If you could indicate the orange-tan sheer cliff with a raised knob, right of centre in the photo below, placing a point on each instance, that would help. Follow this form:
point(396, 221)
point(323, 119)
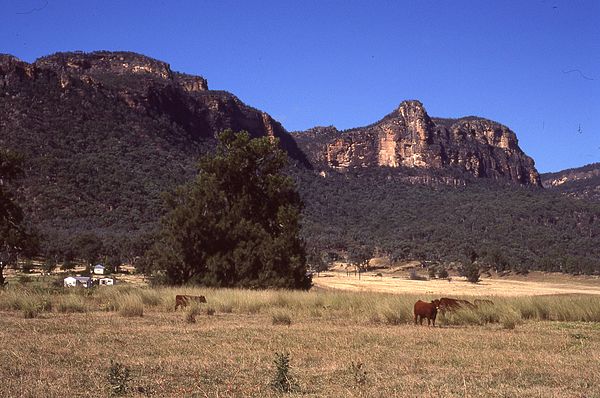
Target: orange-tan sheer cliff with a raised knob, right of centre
point(409, 138)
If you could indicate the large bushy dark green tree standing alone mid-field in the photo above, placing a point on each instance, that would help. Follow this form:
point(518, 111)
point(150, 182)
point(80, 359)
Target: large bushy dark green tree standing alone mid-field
point(237, 224)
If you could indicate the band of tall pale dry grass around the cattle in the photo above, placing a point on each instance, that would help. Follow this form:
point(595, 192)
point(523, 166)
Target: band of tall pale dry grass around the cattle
point(363, 307)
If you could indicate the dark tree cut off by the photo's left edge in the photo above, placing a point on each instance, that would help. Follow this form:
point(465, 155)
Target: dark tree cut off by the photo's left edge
point(15, 237)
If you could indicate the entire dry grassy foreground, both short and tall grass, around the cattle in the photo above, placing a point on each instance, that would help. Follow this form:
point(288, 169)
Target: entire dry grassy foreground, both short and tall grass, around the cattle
point(57, 344)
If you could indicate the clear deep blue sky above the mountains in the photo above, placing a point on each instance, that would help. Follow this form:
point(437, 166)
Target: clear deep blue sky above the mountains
point(531, 65)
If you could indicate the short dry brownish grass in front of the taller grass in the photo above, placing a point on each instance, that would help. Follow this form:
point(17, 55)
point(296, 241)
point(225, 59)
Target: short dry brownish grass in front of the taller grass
point(231, 355)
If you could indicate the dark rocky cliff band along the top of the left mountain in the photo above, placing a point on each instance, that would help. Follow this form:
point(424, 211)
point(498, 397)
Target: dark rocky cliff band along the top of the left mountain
point(147, 86)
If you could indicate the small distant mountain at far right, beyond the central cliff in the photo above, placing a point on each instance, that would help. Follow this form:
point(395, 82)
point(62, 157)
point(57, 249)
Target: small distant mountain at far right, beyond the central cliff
point(580, 182)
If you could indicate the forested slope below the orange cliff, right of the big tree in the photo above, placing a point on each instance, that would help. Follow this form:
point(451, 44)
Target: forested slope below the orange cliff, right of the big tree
point(507, 226)
